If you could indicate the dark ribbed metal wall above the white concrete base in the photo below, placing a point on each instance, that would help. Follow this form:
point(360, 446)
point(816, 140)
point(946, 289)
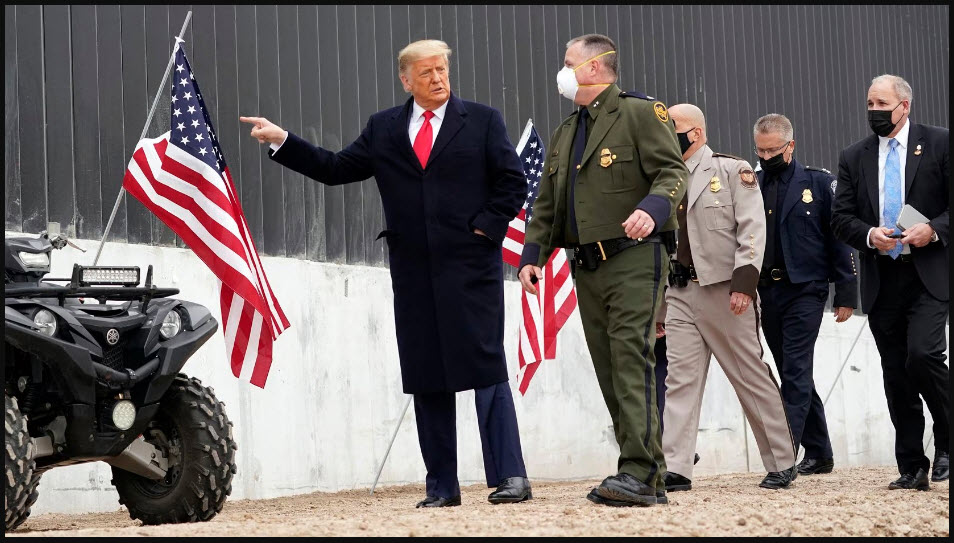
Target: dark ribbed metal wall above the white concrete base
point(79, 81)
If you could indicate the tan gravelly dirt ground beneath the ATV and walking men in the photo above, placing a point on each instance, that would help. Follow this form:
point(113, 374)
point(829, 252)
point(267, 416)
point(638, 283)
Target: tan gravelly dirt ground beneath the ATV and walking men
point(850, 501)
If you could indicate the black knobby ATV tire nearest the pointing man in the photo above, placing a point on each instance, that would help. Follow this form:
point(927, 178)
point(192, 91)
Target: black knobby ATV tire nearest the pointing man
point(192, 430)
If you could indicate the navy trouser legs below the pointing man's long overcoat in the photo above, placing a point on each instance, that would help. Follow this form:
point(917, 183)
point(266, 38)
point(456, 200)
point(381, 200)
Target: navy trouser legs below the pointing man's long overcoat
point(437, 432)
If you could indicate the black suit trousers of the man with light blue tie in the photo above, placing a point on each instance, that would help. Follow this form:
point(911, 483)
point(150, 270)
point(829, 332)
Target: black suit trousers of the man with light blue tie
point(908, 327)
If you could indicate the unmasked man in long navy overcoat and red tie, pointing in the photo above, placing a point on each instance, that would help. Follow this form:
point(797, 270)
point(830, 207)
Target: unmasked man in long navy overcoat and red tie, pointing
point(450, 182)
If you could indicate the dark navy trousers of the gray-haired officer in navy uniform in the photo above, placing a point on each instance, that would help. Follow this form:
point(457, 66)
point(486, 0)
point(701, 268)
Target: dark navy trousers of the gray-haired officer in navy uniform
point(791, 317)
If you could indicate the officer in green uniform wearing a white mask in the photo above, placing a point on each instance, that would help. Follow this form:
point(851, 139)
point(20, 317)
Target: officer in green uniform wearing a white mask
point(611, 181)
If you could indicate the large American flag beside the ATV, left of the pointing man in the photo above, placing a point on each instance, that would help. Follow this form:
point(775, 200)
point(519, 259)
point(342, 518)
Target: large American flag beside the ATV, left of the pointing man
point(181, 176)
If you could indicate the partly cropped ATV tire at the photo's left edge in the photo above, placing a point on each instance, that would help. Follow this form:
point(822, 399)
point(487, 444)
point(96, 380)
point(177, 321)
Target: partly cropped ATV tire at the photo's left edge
point(21, 479)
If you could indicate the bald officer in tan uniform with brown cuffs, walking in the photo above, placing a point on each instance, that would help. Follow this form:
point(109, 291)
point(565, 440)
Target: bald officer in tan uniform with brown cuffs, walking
point(712, 310)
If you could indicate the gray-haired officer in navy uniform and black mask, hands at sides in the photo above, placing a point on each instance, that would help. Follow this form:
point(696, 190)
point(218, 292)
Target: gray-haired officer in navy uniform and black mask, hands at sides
point(802, 257)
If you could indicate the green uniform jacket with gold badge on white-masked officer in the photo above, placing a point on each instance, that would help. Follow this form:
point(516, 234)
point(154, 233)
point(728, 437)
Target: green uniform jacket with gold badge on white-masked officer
point(631, 161)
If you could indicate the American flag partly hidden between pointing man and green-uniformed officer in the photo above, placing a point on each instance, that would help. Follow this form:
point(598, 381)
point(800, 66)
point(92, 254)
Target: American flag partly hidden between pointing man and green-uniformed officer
point(545, 314)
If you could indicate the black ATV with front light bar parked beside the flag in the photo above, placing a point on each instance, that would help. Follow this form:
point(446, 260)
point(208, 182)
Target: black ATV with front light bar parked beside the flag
point(91, 373)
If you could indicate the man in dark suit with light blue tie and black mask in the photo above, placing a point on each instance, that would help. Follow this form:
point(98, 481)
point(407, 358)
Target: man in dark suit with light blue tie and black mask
point(904, 280)
